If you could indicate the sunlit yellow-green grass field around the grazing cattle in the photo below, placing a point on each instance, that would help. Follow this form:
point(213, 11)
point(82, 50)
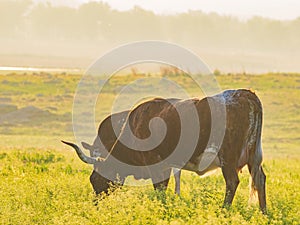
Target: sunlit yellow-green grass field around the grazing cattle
point(43, 182)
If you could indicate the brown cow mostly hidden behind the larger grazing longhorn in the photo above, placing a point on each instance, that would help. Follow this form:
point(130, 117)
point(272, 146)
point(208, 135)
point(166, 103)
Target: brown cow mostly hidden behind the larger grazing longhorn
point(108, 131)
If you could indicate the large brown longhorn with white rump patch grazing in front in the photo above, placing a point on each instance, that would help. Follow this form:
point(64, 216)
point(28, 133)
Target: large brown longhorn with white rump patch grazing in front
point(240, 144)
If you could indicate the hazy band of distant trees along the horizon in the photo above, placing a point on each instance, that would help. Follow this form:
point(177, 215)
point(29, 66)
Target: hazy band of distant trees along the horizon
point(98, 22)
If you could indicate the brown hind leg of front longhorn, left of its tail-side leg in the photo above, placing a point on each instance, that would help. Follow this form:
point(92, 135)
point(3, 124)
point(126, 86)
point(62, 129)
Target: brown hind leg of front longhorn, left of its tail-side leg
point(232, 182)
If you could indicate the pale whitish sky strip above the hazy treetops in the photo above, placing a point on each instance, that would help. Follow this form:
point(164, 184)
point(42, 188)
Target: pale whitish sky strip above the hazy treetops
point(278, 9)
